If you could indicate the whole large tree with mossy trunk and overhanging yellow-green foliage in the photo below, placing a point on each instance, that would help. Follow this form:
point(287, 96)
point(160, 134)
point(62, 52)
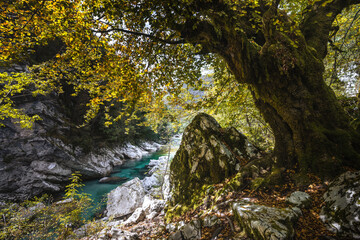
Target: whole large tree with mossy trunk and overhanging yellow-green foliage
point(143, 50)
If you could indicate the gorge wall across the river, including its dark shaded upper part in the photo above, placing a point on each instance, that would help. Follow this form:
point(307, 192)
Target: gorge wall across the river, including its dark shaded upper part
point(41, 159)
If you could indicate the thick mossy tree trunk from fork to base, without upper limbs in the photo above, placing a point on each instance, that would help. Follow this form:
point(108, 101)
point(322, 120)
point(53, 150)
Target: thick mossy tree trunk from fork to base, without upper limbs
point(312, 131)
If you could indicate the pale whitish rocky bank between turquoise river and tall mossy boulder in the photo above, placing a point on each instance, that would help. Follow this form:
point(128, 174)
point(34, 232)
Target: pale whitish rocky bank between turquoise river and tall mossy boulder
point(136, 207)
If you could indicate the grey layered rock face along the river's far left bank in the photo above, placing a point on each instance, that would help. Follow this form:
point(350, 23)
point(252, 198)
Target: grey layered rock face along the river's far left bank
point(38, 160)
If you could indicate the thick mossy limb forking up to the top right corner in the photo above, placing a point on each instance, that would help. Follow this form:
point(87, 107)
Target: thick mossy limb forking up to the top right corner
point(317, 22)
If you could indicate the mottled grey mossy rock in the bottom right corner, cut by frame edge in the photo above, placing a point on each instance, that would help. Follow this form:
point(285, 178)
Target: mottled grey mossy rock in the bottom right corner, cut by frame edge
point(341, 212)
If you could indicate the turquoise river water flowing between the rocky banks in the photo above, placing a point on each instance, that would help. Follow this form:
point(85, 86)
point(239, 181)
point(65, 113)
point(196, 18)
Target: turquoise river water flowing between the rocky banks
point(130, 170)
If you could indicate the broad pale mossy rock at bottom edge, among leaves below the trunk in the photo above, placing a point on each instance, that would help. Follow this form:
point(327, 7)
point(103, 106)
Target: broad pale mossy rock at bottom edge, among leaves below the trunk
point(264, 223)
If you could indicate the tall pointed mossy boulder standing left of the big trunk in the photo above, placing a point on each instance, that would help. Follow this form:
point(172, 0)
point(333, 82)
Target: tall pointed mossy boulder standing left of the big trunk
point(207, 155)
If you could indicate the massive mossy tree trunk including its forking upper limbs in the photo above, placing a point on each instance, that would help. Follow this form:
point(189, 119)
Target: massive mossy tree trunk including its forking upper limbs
point(282, 62)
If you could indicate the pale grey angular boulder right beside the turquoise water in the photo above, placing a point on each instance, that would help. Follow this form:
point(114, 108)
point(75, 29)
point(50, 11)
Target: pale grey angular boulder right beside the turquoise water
point(125, 199)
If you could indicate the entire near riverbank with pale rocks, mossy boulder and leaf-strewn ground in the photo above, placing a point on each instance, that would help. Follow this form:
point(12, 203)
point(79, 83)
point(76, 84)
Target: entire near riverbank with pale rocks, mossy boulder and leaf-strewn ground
point(222, 209)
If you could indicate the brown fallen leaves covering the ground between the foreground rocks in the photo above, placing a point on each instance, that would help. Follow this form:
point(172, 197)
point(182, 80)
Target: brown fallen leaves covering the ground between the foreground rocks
point(308, 226)
